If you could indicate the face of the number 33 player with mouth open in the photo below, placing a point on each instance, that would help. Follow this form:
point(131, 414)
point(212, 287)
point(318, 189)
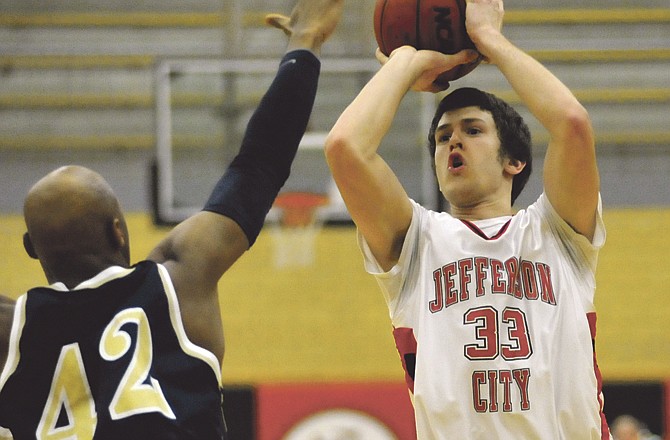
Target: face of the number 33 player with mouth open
point(468, 163)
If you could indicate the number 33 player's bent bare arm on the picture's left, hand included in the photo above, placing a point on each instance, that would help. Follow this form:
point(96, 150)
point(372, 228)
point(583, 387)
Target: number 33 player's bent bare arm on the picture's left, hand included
point(373, 194)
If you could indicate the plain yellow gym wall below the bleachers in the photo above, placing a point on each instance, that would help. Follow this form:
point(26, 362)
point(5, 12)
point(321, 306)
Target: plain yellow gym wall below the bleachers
point(328, 321)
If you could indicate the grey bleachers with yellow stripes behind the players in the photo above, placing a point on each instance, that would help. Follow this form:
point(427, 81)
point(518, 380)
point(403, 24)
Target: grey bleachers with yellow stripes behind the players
point(82, 78)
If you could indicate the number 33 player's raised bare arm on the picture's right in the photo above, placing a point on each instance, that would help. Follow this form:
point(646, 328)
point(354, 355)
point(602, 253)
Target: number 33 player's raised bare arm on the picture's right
point(571, 178)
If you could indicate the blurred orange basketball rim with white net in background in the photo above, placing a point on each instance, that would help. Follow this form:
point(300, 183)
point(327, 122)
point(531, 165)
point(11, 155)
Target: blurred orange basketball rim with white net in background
point(294, 234)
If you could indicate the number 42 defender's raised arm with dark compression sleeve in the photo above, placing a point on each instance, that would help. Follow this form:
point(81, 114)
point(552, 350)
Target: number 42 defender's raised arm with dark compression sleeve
point(199, 250)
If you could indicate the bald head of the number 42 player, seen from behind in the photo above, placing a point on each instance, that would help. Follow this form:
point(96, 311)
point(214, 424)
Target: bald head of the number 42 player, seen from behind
point(73, 220)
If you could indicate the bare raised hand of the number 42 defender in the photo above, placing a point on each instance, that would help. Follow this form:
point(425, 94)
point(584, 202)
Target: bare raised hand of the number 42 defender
point(311, 22)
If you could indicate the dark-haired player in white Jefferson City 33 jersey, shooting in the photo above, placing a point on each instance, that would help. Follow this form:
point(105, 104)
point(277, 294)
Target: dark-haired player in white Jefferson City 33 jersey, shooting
point(492, 309)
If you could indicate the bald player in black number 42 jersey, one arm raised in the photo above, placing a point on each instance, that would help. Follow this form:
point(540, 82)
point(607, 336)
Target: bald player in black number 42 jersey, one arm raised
point(114, 351)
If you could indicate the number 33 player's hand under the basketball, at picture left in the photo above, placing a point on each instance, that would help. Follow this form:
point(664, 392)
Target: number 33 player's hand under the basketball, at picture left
point(428, 65)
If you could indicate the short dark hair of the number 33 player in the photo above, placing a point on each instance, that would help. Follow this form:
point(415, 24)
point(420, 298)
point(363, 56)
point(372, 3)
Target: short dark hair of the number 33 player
point(514, 134)
